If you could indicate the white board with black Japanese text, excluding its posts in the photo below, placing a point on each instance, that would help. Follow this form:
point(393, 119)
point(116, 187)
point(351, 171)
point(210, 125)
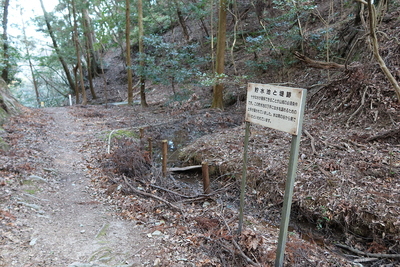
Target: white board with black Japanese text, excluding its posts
point(276, 107)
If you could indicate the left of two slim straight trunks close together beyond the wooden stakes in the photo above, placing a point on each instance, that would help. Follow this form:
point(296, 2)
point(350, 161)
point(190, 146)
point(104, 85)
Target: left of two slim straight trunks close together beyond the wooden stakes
point(128, 51)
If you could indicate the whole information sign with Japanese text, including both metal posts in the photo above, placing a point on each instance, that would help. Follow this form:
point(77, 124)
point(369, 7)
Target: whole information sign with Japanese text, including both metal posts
point(280, 108)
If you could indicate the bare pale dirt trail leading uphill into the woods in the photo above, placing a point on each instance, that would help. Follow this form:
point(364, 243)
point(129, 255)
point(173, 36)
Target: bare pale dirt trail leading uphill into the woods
point(62, 223)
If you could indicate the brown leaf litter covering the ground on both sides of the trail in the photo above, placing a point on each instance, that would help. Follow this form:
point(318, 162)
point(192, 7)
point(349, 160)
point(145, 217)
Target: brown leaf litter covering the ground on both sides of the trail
point(346, 190)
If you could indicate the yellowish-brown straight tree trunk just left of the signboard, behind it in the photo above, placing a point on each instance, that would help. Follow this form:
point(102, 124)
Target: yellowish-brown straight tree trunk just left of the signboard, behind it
point(220, 60)
